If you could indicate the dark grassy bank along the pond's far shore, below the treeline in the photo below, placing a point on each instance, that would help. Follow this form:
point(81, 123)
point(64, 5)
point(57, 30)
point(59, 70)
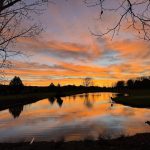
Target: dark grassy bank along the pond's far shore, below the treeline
point(135, 98)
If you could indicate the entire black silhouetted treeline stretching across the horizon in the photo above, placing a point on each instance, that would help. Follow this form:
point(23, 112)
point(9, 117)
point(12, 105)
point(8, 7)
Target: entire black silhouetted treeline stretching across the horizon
point(16, 86)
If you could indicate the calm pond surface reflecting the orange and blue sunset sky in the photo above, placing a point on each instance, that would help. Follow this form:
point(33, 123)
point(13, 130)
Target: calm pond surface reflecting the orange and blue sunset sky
point(84, 116)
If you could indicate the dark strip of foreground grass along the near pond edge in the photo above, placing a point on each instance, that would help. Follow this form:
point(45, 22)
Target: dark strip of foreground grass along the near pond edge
point(137, 142)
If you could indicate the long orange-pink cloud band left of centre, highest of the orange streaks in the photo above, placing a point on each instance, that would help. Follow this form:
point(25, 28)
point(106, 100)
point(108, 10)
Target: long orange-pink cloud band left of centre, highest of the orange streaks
point(62, 49)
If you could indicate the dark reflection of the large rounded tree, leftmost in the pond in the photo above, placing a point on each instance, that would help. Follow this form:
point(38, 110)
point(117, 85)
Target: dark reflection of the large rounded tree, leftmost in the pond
point(16, 111)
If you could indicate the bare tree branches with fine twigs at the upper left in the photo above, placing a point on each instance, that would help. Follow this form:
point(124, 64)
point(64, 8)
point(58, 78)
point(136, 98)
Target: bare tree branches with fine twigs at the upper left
point(17, 20)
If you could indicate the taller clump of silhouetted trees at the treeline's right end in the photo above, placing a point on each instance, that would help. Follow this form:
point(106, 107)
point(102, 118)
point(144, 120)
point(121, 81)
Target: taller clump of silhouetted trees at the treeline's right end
point(138, 83)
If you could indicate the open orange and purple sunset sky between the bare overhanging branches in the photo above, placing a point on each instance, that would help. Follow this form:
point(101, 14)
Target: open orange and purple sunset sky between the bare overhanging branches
point(66, 52)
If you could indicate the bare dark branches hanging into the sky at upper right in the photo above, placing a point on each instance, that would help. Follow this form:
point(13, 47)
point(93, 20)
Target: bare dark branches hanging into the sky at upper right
point(134, 13)
